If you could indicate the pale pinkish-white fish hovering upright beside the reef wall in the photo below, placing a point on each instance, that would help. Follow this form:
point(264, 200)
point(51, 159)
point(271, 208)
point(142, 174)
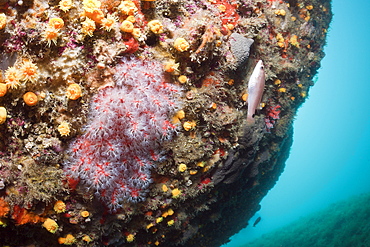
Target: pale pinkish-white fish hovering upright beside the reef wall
point(256, 85)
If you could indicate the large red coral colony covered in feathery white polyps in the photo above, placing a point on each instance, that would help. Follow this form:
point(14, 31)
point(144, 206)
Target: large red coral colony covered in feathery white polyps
point(127, 124)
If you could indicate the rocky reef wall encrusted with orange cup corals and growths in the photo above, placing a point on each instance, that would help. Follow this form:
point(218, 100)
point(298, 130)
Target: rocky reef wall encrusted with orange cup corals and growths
point(124, 123)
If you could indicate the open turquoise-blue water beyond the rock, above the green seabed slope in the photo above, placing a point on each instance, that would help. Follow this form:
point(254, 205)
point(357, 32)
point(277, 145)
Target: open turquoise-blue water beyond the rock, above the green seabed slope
point(330, 156)
